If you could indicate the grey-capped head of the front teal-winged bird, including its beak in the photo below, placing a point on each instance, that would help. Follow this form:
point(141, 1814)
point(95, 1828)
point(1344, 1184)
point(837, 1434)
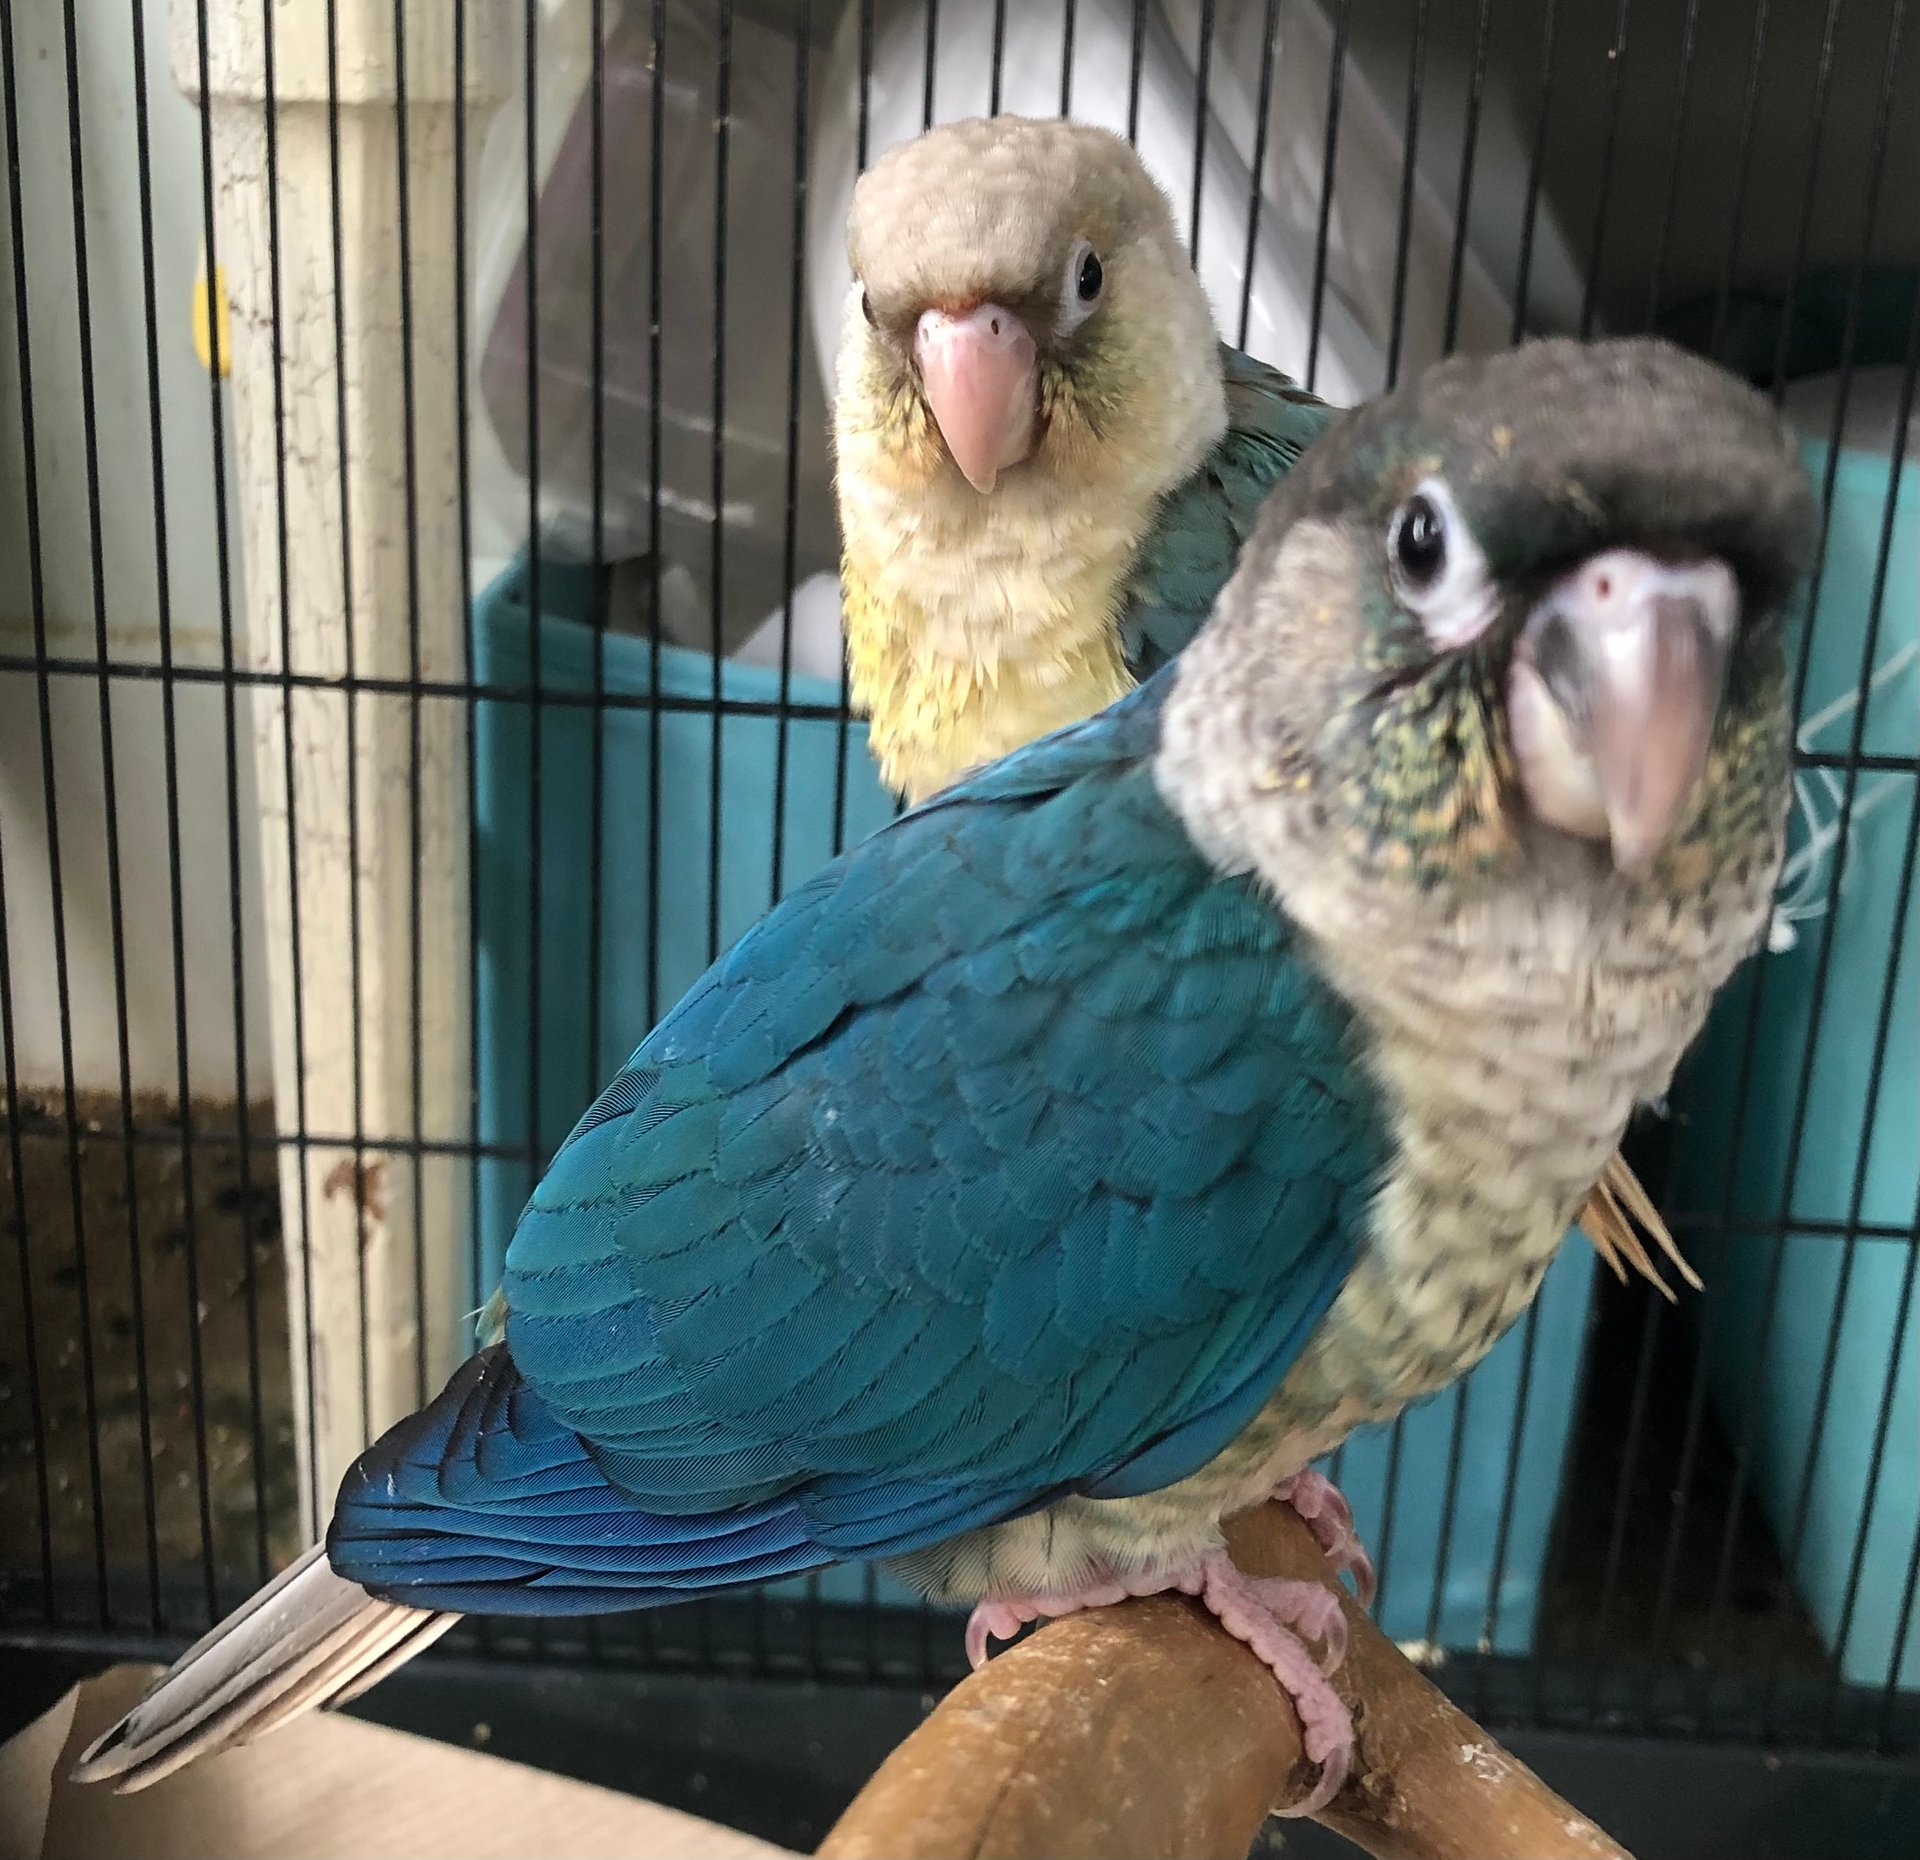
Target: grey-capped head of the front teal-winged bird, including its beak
point(1524, 617)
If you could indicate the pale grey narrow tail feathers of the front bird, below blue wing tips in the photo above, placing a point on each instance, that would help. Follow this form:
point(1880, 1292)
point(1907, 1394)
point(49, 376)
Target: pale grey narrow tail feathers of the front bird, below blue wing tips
point(310, 1638)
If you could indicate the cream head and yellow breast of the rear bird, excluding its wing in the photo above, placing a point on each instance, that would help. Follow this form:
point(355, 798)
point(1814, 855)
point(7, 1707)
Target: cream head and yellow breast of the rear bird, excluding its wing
point(1028, 366)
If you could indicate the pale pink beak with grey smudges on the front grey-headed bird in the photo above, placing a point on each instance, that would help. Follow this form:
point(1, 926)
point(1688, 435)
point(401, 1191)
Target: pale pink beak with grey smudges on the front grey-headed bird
point(1616, 692)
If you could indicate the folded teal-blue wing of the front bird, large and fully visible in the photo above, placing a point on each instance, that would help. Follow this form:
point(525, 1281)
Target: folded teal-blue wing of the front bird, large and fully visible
point(1017, 1155)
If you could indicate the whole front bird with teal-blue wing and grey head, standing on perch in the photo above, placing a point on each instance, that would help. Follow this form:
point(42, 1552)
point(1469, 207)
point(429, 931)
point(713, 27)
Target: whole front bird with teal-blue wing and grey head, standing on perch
point(1070, 1166)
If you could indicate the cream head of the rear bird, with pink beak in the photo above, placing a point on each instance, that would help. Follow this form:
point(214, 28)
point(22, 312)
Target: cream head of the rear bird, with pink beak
point(1024, 318)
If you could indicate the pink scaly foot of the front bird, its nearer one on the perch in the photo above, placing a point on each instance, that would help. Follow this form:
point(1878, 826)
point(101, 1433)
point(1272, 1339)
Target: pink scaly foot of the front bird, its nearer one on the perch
point(1272, 1615)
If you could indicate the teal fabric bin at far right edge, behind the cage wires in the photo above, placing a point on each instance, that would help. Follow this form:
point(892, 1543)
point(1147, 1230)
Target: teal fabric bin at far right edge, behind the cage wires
point(1840, 1490)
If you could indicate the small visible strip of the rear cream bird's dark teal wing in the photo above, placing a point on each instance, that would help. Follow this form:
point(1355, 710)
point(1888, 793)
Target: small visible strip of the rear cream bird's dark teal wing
point(1195, 544)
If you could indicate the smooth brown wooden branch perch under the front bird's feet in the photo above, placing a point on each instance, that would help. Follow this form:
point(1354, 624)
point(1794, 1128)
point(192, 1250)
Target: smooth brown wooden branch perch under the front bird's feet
point(1147, 1730)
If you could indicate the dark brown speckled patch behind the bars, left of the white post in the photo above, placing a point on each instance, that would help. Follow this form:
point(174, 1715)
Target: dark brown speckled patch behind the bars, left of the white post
point(247, 1494)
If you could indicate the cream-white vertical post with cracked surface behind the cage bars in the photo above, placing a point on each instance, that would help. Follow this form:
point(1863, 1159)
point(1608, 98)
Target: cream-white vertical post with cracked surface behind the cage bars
point(370, 1228)
